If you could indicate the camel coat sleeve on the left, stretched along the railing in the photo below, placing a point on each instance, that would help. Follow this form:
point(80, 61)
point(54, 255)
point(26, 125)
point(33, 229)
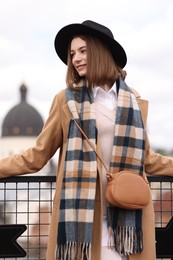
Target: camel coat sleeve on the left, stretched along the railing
point(36, 157)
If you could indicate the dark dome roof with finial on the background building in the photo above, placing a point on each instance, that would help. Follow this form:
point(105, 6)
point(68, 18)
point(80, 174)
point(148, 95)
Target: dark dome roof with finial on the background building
point(23, 119)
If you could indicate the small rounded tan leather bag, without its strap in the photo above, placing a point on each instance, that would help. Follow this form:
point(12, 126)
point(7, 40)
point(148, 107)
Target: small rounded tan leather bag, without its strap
point(128, 190)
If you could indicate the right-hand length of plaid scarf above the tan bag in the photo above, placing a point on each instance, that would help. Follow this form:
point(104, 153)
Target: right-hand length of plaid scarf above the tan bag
point(129, 138)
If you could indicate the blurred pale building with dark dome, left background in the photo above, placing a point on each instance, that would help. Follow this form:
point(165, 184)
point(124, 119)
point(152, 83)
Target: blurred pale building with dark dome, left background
point(20, 127)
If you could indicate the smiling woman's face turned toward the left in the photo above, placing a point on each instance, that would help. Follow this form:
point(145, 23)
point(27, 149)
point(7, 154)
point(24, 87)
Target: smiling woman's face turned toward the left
point(78, 53)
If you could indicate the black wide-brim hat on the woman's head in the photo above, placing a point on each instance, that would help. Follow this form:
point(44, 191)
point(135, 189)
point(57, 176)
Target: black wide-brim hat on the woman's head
point(66, 34)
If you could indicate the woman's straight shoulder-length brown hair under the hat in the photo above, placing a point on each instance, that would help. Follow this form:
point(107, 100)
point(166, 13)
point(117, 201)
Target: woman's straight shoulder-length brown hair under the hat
point(101, 67)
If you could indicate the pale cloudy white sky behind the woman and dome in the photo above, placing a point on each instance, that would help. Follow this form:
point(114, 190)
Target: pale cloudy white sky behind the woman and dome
point(142, 27)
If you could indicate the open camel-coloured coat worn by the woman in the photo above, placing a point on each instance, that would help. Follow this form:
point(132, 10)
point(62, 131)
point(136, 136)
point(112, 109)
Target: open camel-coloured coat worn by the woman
point(53, 137)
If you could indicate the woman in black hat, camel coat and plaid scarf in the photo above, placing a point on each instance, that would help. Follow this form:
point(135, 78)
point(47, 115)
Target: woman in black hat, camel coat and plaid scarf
point(83, 225)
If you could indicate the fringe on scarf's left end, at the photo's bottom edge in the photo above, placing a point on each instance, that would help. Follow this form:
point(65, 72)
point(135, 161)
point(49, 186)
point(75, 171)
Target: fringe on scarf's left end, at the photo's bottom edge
point(74, 251)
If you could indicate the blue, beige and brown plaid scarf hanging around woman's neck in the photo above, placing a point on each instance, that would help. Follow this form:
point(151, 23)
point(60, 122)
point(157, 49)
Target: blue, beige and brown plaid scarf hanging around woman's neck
point(80, 175)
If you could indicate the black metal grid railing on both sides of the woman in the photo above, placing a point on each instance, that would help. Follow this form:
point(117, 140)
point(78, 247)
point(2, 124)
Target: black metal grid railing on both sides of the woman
point(28, 200)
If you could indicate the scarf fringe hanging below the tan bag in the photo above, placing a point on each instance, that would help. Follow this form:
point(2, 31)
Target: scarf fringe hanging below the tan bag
point(127, 240)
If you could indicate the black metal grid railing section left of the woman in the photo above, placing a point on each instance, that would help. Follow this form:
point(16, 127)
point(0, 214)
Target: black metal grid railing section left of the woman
point(28, 200)
